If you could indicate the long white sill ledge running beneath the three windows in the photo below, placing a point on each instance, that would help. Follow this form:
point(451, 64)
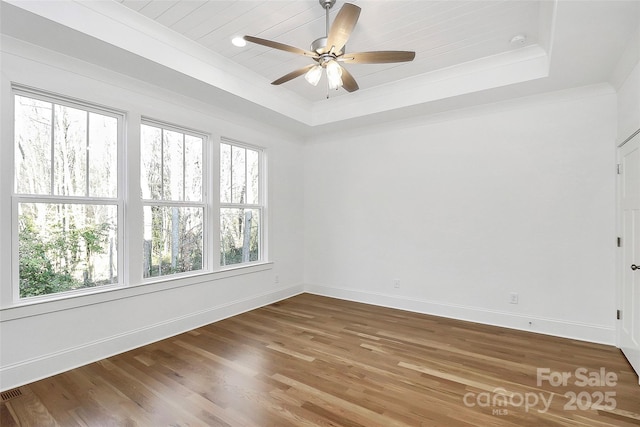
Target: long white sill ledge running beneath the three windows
point(65, 302)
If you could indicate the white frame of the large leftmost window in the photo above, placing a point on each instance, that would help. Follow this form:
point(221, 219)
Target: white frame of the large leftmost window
point(18, 198)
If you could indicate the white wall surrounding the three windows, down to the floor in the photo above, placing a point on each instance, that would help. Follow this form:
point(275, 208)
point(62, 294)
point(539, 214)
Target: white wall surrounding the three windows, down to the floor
point(43, 339)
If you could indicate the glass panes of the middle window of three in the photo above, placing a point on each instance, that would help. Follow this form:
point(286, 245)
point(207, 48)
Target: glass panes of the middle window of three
point(171, 176)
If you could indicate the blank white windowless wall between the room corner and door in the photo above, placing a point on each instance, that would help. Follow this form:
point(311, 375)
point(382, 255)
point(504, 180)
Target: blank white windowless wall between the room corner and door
point(467, 207)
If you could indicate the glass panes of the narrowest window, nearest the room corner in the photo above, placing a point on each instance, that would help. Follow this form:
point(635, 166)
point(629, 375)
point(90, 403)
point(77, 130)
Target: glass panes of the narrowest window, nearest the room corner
point(241, 207)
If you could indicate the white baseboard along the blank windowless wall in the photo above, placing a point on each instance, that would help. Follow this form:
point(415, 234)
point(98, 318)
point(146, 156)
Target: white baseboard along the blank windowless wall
point(548, 326)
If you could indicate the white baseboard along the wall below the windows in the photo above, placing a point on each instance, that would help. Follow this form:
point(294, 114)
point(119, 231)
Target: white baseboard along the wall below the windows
point(28, 371)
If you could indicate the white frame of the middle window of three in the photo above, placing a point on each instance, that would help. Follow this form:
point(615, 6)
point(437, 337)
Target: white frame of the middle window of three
point(206, 203)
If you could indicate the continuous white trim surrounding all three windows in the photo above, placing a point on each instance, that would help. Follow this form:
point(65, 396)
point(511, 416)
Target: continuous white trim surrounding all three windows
point(129, 203)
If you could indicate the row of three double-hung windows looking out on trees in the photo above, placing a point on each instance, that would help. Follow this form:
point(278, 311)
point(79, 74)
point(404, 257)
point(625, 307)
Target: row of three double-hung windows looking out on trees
point(70, 193)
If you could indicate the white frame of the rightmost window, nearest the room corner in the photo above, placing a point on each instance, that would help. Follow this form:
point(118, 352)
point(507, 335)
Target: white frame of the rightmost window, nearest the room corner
point(261, 206)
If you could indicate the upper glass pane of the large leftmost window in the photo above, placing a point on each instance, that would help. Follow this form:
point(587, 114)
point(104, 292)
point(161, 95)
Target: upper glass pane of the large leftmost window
point(64, 151)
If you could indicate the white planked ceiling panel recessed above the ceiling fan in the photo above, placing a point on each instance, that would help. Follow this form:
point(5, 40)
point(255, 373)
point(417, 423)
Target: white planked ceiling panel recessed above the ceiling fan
point(442, 33)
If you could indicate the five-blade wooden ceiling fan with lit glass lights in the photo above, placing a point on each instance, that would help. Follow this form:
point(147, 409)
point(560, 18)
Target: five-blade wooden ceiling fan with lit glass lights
point(328, 51)
